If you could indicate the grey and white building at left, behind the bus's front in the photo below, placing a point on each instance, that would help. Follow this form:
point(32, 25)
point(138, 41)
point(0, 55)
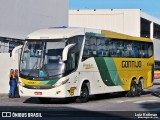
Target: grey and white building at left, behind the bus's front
point(18, 19)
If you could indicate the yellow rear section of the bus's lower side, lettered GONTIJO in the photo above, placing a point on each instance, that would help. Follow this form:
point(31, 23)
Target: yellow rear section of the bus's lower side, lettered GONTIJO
point(130, 68)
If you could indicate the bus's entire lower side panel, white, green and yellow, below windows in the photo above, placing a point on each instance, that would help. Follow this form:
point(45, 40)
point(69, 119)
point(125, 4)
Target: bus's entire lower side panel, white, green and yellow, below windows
point(115, 74)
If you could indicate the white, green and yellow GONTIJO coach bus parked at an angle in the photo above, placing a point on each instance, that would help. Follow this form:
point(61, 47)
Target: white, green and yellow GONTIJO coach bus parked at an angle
point(78, 62)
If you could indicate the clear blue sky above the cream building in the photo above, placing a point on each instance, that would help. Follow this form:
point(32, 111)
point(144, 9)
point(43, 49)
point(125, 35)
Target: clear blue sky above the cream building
point(151, 7)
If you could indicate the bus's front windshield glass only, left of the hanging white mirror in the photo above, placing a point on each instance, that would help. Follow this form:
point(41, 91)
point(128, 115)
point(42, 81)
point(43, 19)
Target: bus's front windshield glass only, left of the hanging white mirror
point(42, 59)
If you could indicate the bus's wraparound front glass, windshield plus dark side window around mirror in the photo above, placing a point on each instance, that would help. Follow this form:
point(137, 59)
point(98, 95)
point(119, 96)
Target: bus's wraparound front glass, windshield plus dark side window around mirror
point(42, 59)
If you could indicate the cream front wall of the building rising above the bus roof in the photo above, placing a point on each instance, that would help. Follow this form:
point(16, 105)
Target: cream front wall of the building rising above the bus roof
point(125, 21)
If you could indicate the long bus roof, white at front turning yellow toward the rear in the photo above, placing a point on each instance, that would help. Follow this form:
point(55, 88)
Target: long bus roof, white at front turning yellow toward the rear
point(63, 32)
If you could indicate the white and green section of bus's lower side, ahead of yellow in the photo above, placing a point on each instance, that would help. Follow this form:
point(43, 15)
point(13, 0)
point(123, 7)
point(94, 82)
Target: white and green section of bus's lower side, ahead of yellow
point(95, 70)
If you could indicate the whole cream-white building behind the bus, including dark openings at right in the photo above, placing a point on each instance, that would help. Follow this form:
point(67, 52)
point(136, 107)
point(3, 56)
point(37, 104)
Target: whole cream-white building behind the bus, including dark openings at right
point(128, 21)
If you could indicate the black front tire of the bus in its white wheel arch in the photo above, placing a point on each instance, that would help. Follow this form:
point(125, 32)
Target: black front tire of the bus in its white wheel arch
point(84, 95)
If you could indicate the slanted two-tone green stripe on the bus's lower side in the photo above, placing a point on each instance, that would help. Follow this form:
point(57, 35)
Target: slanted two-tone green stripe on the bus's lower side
point(108, 71)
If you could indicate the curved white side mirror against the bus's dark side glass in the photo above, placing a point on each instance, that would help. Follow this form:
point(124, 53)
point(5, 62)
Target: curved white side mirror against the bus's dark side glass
point(65, 52)
